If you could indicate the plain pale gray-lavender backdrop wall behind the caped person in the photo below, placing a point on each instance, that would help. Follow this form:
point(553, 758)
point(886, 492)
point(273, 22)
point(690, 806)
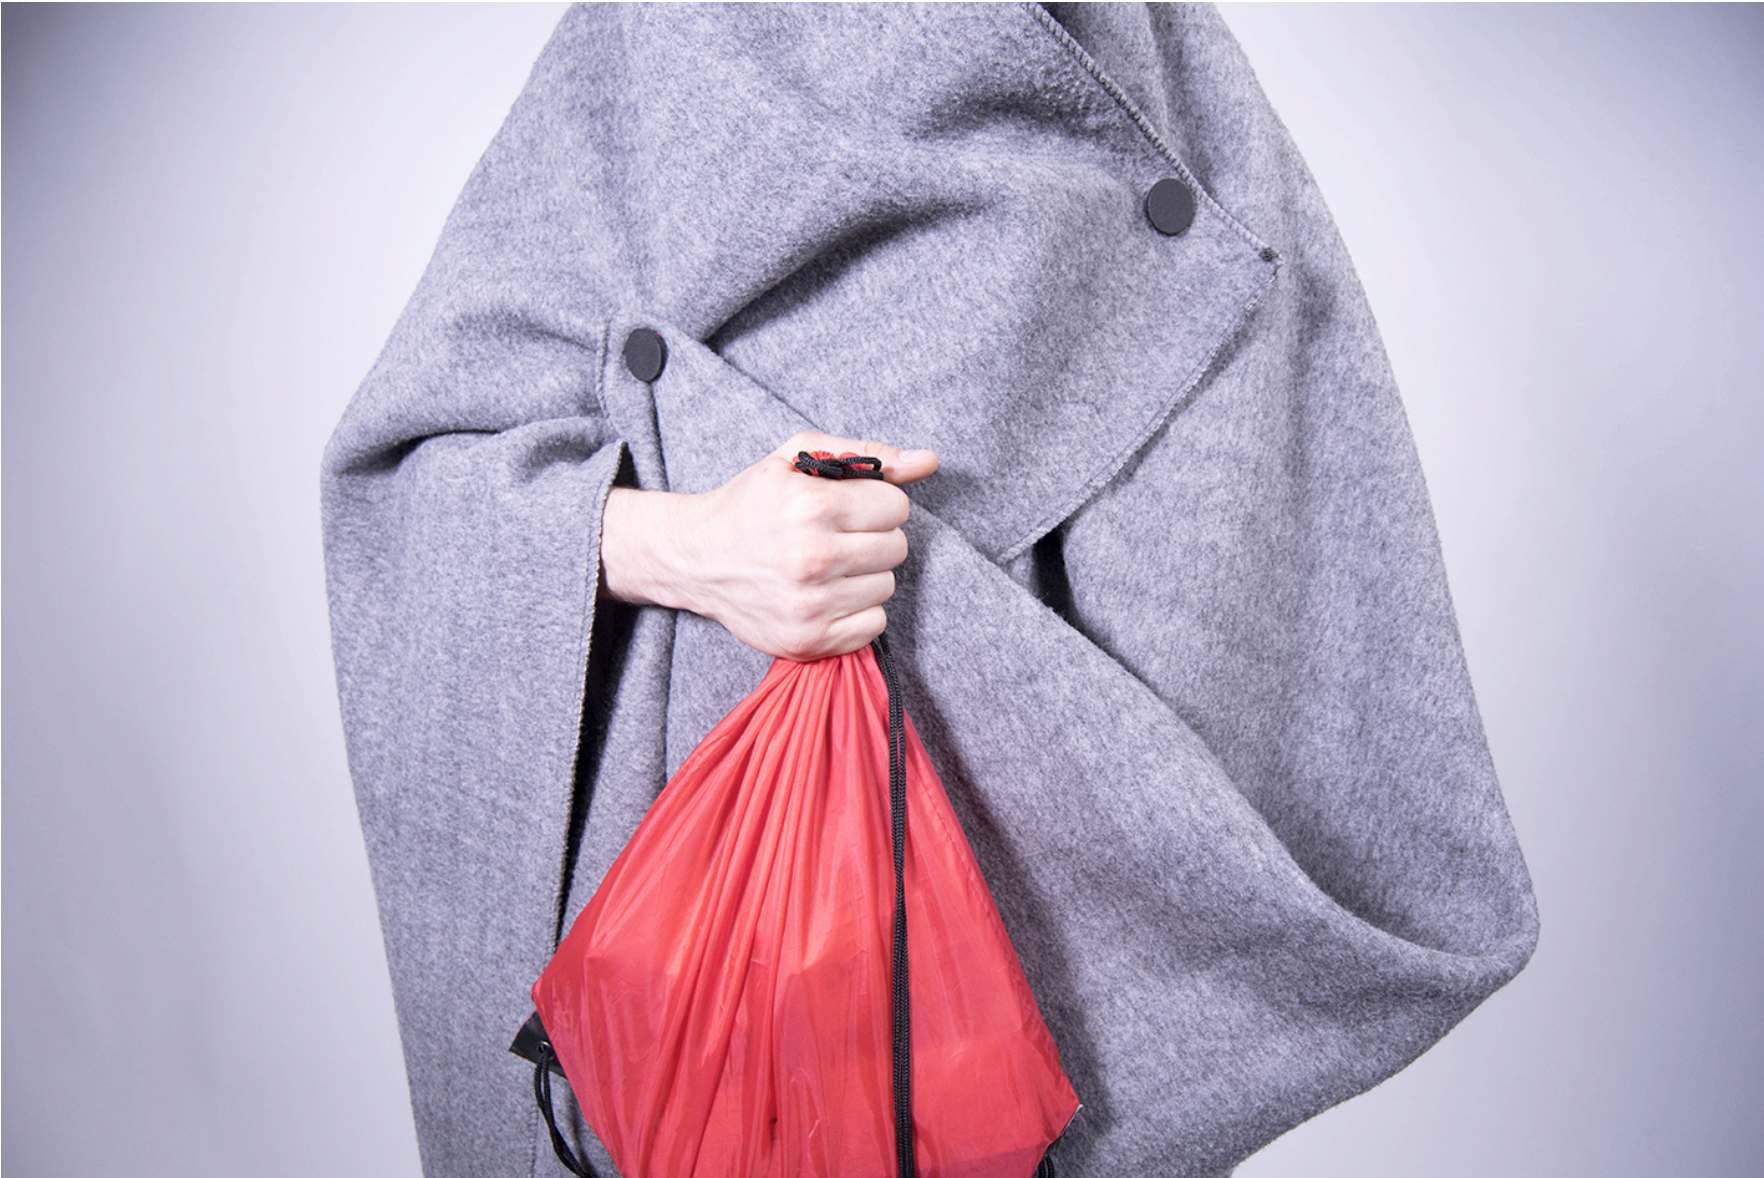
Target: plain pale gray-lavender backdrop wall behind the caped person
point(213, 218)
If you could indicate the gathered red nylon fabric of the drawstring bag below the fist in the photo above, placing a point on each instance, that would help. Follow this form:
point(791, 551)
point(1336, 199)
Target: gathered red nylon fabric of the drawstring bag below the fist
point(722, 1004)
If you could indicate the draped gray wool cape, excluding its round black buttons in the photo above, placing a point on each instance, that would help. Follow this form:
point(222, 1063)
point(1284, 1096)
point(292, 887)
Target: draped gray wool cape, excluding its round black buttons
point(1174, 622)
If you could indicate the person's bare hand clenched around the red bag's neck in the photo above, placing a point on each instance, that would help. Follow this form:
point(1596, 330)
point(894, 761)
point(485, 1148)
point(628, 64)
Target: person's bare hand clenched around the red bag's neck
point(795, 567)
